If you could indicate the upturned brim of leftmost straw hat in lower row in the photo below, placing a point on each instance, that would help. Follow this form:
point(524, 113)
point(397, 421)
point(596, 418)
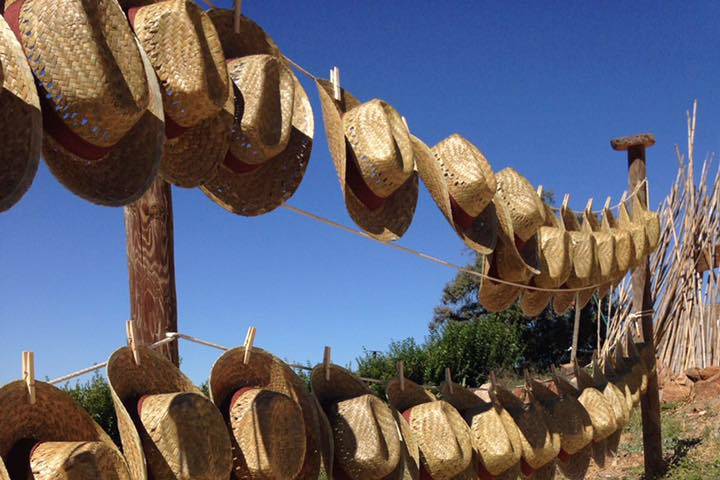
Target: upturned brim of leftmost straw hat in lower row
point(55, 416)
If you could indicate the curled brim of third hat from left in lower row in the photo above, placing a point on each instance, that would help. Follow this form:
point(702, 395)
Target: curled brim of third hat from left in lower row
point(264, 370)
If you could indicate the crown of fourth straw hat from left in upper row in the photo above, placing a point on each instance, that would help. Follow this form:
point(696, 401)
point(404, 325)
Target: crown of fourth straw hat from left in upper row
point(266, 90)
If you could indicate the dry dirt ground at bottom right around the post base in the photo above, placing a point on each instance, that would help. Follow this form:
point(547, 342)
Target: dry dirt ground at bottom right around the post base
point(691, 444)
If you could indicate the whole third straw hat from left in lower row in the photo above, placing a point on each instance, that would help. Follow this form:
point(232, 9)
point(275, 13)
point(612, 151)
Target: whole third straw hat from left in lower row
point(273, 418)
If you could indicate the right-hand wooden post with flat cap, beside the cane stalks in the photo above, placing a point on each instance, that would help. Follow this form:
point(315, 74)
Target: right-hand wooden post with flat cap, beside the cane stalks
point(643, 304)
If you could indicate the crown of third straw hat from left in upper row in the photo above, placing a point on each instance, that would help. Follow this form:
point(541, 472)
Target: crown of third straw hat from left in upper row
point(185, 51)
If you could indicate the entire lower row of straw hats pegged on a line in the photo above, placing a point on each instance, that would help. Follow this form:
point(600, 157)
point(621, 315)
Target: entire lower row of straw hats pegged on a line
point(262, 422)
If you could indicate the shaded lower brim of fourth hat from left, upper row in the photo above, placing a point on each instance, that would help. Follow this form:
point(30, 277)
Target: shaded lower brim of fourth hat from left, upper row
point(271, 184)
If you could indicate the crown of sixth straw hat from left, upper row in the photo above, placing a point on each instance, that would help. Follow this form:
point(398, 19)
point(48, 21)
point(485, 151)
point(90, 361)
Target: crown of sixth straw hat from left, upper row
point(468, 175)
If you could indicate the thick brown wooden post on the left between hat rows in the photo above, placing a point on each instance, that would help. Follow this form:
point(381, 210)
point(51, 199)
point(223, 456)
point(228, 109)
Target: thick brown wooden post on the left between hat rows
point(151, 264)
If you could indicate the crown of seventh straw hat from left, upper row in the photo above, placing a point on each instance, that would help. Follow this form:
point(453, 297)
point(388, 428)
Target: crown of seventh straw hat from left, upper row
point(525, 206)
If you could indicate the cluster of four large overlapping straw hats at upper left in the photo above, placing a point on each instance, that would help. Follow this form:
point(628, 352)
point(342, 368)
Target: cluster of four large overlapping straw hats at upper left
point(119, 92)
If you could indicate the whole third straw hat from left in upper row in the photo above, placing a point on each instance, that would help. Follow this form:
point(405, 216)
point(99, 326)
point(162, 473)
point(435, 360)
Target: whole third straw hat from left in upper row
point(185, 52)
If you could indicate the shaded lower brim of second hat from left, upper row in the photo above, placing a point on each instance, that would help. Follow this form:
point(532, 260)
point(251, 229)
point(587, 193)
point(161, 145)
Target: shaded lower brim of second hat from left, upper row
point(126, 172)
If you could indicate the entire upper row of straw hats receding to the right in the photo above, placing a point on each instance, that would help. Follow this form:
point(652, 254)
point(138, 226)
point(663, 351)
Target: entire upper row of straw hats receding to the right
point(130, 90)
